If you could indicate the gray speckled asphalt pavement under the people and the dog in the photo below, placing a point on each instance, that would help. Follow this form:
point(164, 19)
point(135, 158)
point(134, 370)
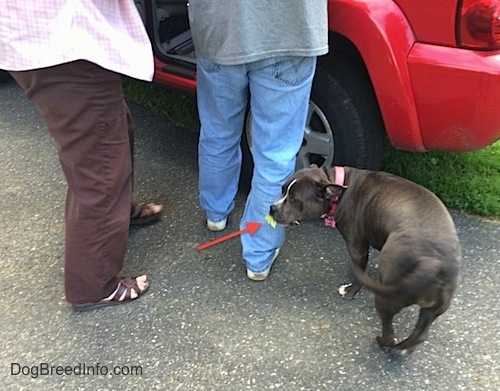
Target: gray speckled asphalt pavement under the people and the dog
point(203, 325)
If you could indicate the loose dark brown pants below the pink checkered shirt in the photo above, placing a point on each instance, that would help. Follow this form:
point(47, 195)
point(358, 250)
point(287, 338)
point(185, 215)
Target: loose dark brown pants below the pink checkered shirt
point(86, 114)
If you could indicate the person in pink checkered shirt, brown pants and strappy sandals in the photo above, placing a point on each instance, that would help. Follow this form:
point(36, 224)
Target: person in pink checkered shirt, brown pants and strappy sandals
point(74, 79)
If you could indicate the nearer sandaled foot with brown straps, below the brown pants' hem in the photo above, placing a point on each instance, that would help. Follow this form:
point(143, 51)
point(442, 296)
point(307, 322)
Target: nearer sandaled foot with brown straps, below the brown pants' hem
point(128, 289)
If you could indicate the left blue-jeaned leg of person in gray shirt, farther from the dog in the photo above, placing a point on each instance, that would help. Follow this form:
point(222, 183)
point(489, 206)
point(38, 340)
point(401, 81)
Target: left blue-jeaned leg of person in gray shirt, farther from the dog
point(222, 100)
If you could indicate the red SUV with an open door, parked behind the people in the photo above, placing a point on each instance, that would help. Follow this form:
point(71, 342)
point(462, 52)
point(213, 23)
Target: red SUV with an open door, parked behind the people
point(425, 74)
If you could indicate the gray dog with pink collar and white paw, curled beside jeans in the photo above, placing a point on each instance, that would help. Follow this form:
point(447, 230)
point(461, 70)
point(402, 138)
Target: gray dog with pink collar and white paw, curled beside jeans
point(420, 256)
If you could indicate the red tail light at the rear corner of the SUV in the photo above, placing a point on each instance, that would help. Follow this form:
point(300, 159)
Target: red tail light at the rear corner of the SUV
point(478, 24)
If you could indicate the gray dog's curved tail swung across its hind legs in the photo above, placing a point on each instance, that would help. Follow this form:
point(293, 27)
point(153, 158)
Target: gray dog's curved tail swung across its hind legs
point(423, 273)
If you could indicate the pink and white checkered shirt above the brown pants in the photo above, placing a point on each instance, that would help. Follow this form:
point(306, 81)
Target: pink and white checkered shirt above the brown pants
point(42, 33)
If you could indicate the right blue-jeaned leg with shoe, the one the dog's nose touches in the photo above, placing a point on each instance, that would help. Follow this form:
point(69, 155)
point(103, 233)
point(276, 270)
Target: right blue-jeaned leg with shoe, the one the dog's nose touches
point(280, 91)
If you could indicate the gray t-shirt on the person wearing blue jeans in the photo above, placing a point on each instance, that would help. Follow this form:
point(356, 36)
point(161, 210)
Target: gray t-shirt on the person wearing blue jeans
point(231, 32)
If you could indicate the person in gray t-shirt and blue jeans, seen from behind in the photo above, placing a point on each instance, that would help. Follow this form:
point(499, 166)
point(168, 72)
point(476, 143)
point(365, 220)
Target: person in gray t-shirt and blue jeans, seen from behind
point(260, 55)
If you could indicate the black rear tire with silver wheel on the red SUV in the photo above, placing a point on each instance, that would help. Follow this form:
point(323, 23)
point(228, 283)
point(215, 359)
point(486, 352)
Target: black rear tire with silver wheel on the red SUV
point(344, 126)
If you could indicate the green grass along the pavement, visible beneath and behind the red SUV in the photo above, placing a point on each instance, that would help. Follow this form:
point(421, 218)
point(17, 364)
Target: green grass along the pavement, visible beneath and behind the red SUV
point(466, 181)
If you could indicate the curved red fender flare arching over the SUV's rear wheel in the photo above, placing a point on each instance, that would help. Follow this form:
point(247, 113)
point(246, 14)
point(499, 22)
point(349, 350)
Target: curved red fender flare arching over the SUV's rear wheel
point(385, 56)
